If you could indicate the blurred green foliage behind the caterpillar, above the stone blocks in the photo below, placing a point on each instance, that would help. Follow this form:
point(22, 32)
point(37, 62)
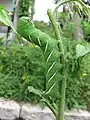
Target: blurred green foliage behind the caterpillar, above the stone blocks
point(22, 66)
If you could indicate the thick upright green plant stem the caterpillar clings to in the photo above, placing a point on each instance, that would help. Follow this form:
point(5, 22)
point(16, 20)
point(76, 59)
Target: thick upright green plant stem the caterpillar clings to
point(62, 90)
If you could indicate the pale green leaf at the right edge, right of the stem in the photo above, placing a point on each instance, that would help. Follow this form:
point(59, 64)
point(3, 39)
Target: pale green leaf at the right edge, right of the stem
point(82, 50)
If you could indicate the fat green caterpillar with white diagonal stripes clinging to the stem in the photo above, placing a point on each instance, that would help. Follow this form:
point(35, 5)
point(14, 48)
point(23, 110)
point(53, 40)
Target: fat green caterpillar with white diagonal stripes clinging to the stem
point(49, 48)
